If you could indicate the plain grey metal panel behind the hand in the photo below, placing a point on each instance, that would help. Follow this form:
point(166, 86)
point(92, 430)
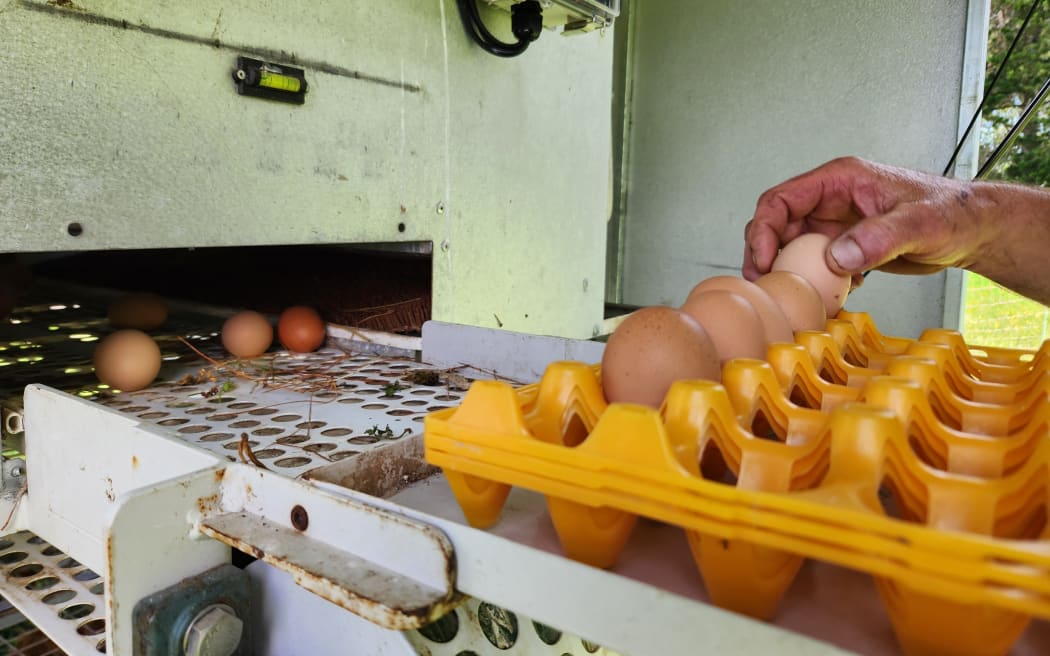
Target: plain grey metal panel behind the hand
point(730, 99)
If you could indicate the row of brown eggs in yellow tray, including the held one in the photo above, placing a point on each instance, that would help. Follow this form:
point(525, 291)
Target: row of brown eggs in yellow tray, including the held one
point(724, 318)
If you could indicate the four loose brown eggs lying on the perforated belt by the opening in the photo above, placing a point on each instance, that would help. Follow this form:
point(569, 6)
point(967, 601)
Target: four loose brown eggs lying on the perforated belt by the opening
point(130, 359)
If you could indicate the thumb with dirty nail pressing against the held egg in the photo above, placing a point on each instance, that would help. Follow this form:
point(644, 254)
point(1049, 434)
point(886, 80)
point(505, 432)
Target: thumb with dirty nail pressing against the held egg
point(872, 243)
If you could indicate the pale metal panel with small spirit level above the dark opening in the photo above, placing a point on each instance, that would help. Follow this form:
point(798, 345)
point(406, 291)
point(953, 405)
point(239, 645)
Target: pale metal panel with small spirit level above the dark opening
point(136, 133)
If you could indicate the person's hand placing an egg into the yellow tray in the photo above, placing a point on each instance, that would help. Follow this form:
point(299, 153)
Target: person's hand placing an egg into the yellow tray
point(878, 218)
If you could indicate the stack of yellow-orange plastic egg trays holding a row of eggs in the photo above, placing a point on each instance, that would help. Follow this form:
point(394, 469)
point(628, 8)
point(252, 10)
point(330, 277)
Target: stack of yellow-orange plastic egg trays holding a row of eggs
point(925, 463)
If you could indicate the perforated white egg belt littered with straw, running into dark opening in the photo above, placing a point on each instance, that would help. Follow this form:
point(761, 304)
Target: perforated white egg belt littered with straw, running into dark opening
point(308, 412)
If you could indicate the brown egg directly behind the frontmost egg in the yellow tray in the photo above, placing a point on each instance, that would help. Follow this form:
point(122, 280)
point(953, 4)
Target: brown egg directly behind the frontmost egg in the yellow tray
point(733, 325)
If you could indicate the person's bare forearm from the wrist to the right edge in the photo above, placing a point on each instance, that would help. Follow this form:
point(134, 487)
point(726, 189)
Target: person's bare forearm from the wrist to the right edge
point(1015, 248)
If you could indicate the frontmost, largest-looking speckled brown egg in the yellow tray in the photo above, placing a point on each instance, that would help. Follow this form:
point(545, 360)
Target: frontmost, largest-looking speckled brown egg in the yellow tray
point(654, 348)
